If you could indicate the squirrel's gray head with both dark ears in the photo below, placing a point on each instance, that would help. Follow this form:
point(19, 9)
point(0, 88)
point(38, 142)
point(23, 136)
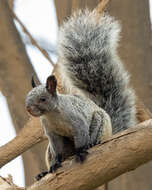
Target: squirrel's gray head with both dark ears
point(43, 98)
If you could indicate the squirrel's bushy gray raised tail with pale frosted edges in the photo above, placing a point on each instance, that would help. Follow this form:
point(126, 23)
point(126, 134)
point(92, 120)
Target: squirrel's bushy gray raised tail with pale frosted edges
point(88, 52)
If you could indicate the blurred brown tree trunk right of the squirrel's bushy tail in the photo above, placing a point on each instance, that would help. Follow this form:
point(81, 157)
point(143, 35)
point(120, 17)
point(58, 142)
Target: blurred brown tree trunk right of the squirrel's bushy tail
point(135, 47)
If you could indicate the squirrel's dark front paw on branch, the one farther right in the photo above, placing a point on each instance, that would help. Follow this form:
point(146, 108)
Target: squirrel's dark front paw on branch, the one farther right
point(81, 154)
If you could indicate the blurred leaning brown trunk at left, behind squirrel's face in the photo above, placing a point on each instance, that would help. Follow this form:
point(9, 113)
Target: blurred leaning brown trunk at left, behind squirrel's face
point(15, 76)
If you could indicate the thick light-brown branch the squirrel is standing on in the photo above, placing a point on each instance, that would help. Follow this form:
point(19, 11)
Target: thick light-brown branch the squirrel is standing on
point(124, 152)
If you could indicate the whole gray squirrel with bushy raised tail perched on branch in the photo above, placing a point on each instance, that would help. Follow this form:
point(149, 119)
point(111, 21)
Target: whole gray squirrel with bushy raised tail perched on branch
point(104, 103)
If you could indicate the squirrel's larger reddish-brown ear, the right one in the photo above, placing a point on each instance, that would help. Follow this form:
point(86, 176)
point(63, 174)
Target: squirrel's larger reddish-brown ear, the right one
point(51, 84)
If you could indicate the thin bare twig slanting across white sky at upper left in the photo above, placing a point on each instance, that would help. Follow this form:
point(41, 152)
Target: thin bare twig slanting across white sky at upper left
point(33, 41)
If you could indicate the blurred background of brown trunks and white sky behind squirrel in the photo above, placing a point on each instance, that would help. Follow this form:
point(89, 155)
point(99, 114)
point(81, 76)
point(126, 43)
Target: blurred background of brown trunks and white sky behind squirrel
point(37, 22)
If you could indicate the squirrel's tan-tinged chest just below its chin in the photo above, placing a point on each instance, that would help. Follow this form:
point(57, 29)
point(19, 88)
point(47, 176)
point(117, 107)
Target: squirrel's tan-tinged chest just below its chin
point(56, 123)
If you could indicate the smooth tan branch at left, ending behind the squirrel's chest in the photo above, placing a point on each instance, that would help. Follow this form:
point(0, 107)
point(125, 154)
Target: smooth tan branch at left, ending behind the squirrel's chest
point(30, 135)
